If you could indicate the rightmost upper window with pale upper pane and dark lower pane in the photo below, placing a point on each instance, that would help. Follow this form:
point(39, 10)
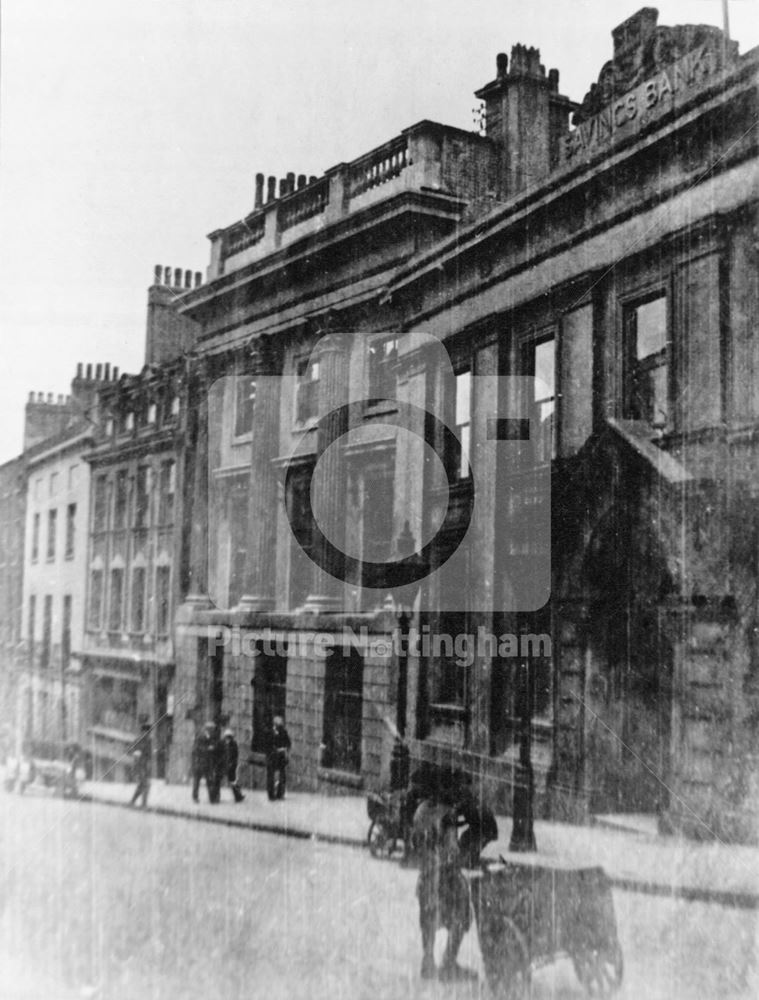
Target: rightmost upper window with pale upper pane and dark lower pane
point(647, 353)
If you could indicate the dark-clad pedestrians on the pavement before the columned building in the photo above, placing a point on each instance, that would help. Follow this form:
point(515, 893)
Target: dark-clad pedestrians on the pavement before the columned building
point(215, 760)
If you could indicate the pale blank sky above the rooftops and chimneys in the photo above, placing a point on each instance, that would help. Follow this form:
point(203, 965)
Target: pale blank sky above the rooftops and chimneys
point(129, 131)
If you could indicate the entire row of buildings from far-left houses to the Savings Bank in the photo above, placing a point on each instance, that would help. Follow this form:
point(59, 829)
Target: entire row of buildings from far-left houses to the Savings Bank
point(495, 384)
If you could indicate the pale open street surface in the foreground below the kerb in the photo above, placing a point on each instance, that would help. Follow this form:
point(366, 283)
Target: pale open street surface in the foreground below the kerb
point(107, 903)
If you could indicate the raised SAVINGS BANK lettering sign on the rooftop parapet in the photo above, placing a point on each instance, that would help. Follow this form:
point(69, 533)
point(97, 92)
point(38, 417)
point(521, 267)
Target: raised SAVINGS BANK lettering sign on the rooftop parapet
point(667, 88)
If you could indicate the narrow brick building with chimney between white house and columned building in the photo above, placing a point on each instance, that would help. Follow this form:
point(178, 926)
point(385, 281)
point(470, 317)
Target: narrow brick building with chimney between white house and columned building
point(134, 537)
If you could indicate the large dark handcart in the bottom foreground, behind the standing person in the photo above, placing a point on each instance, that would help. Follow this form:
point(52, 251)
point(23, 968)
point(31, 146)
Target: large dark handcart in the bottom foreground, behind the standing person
point(531, 912)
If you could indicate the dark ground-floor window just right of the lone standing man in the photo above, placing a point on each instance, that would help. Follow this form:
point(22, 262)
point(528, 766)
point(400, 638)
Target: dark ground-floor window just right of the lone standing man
point(343, 703)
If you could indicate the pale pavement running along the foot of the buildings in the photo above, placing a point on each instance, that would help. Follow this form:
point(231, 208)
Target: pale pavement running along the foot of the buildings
point(635, 857)
